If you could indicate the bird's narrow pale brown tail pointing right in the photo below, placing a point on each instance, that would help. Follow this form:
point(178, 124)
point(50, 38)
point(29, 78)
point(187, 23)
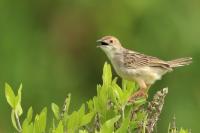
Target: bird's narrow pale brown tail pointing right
point(180, 62)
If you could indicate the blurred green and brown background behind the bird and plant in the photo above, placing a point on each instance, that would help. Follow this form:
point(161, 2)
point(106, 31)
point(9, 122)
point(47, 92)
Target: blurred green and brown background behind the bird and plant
point(50, 46)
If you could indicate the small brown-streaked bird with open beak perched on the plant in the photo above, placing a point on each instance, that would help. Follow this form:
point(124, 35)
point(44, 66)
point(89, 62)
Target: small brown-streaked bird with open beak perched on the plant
point(135, 66)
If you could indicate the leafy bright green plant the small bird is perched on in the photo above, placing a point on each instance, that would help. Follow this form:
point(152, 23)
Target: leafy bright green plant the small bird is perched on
point(107, 112)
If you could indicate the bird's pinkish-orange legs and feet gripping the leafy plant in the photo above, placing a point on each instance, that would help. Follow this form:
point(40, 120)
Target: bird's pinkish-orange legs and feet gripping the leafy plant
point(141, 93)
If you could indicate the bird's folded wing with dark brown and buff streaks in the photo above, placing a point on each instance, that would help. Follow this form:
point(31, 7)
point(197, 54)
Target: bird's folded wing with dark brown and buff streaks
point(136, 60)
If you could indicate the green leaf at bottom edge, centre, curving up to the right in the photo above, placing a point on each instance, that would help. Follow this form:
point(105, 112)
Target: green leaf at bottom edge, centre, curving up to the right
point(108, 126)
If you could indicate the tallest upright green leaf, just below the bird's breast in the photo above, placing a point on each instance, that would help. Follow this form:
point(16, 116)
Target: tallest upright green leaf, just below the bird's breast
point(107, 74)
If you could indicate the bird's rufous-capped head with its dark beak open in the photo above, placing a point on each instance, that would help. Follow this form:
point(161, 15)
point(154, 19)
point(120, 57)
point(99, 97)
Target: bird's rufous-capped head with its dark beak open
point(109, 44)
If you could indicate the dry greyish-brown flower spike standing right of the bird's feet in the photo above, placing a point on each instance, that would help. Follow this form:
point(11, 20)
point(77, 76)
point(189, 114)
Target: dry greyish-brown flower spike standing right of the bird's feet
point(154, 109)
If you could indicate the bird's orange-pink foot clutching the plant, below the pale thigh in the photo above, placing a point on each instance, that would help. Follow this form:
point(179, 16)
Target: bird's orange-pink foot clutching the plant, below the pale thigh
point(138, 95)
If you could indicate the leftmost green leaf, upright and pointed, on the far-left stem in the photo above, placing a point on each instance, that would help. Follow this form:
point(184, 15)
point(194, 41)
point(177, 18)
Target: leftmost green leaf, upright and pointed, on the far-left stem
point(10, 96)
